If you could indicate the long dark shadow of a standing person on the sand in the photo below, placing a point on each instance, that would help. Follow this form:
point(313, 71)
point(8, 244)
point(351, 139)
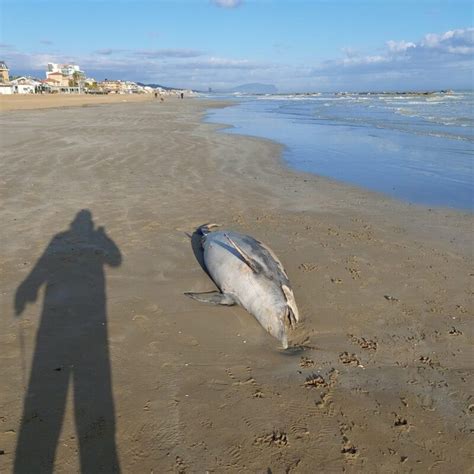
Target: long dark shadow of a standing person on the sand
point(71, 348)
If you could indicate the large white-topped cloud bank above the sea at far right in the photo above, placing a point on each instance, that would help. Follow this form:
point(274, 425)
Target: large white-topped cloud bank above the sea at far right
point(435, 61)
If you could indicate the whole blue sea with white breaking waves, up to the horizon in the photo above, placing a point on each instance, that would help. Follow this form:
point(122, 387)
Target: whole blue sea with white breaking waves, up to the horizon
point(416, 148)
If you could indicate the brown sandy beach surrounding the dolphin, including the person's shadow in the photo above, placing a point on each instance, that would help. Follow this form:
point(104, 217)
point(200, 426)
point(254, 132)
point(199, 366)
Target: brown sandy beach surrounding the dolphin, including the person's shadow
point(382, 384)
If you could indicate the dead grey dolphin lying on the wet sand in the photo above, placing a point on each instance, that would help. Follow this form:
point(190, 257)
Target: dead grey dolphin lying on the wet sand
point(249, 274)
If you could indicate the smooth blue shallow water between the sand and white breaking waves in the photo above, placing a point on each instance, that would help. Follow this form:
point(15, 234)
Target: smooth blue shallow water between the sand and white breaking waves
point(367, 158)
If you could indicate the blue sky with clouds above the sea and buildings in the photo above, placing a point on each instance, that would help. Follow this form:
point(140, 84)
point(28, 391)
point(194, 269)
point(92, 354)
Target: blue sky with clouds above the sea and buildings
point(296, 45)
